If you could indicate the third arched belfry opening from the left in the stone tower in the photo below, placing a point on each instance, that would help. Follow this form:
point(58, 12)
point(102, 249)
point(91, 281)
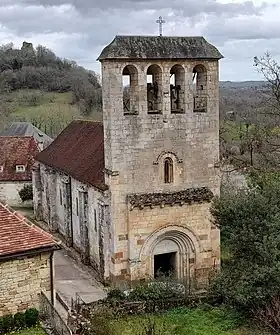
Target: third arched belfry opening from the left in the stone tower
point(177, 86)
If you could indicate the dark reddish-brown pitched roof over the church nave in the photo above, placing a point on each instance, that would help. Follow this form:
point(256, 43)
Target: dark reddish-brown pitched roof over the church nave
point(78, 151)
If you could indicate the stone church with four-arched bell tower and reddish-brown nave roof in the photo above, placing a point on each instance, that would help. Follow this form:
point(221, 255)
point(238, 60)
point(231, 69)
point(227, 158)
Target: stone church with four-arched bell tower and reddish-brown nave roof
point(132, 193)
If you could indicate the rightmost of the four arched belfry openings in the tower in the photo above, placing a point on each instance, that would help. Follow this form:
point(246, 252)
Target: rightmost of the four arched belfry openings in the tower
point(200, 88)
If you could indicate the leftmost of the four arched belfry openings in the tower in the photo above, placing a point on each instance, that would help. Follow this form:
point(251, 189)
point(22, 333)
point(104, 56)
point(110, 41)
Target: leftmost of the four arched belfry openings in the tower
point(130, 90)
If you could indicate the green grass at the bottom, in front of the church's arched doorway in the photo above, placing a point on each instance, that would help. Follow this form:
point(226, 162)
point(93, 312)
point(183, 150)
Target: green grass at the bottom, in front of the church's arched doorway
point(188, 322)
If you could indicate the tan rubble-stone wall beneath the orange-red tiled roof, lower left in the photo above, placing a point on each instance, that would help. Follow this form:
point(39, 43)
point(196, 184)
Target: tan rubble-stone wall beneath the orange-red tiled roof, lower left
point(21, 280)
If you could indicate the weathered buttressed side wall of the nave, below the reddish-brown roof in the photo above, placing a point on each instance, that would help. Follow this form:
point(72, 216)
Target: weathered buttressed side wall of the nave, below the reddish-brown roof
point(59, 209)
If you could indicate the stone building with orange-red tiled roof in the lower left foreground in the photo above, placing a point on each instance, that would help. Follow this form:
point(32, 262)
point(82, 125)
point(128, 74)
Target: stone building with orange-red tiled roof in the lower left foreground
point(26, 263)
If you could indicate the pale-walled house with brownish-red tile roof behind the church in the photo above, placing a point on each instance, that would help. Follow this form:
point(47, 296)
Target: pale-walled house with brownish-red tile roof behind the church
point(16, 161)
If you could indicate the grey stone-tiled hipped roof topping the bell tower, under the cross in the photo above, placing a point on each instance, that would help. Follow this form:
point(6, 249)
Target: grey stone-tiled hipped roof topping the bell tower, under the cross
point(159, 47)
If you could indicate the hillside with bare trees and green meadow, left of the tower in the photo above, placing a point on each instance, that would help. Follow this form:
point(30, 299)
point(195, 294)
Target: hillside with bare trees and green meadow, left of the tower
point(38, 86)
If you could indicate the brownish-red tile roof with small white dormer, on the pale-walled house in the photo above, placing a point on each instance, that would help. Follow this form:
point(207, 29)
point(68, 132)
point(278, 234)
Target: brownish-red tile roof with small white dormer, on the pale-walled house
point(14, 151)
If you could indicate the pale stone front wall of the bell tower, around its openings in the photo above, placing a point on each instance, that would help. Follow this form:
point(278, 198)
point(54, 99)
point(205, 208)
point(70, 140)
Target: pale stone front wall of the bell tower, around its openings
point(136, 146)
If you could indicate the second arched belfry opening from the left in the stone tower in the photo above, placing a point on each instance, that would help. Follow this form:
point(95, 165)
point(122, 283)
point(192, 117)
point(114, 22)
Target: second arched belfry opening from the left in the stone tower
point(154, 89)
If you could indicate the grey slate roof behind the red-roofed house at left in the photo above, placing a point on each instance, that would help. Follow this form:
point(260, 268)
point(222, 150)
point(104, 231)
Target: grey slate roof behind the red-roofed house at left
point(26, 129)
